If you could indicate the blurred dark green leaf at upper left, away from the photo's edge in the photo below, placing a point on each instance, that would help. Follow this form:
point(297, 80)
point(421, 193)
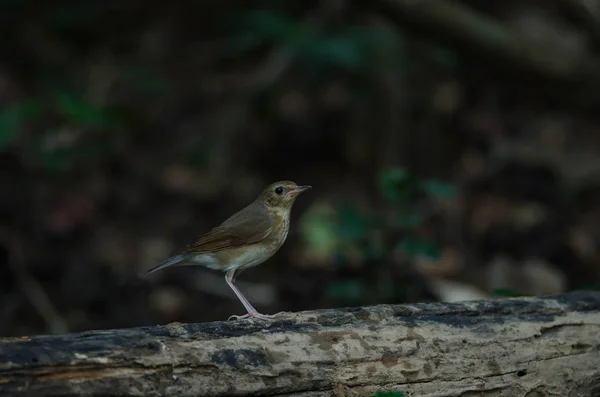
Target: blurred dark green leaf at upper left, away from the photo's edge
point(81, 112)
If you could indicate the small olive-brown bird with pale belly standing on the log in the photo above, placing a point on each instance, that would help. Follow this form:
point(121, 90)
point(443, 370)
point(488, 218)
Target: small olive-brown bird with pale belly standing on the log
point(247, 238)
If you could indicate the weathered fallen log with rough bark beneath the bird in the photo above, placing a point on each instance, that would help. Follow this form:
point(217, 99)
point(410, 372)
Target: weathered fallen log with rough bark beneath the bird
point(548, 346)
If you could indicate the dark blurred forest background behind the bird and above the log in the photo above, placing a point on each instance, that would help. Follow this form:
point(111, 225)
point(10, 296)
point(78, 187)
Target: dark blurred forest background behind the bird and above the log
point(453, 149)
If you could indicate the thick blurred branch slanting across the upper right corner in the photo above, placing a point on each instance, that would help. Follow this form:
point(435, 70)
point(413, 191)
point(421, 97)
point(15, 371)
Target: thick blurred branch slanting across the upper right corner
point(501, 48)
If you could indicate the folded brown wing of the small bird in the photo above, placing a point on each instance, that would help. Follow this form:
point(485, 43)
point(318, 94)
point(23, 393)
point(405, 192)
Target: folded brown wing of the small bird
point(248, 226)
